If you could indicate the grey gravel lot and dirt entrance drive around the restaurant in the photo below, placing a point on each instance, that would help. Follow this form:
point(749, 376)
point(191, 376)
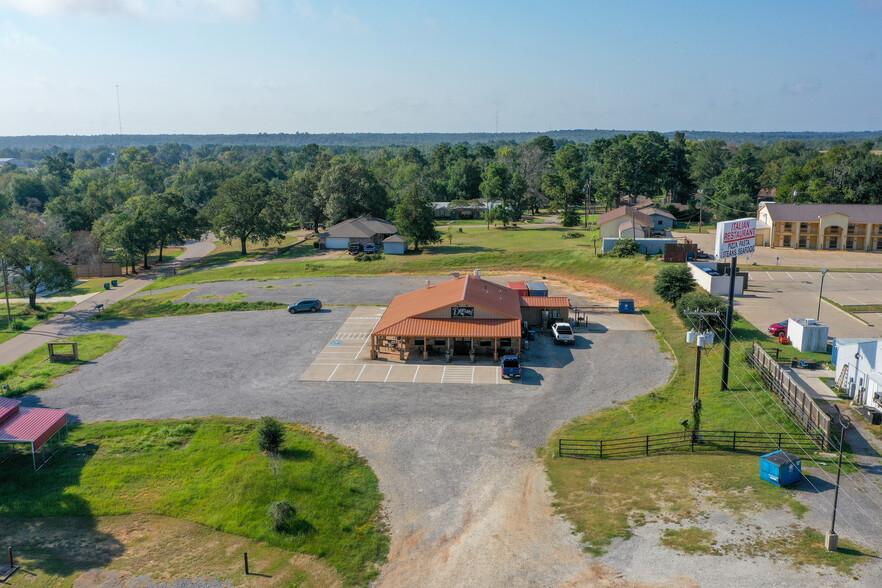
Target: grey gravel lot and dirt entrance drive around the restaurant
point(467, 500)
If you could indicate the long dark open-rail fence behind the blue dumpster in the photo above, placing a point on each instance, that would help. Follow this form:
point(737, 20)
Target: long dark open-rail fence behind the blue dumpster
point(645, 445)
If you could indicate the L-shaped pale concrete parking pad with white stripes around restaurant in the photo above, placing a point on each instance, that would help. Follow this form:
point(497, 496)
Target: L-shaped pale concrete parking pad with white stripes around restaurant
point(346, 358)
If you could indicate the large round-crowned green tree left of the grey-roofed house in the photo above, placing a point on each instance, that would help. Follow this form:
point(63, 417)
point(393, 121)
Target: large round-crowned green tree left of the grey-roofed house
point(248, 209)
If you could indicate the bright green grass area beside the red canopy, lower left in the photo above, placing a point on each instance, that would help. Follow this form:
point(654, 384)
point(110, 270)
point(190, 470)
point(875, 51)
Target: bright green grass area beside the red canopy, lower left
point(209, 471)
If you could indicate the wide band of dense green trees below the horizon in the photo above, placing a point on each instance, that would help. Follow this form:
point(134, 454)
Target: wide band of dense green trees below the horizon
point(127, 203)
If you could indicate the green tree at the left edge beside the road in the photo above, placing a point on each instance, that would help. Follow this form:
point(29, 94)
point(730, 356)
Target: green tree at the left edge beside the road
point(32, 266)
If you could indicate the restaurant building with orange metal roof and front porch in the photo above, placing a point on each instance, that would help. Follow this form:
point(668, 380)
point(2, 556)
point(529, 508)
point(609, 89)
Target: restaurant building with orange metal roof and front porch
point(464, 316)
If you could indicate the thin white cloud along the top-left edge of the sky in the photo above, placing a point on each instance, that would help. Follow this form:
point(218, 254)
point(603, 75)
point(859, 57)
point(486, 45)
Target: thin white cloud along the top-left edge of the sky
point(138, 9)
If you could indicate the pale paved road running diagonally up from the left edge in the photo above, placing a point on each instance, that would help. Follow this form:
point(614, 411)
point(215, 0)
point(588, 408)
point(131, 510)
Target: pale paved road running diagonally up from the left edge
point(51, 329)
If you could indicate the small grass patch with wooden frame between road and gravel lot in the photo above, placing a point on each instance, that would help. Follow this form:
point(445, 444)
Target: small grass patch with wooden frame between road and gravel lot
point(33, 371)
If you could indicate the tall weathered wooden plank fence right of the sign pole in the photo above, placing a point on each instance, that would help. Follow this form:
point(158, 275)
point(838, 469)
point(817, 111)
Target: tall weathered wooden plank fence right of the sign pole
point(795, 399)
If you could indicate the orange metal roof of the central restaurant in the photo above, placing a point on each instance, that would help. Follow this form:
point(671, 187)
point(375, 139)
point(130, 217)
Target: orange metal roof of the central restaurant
point(472, 291)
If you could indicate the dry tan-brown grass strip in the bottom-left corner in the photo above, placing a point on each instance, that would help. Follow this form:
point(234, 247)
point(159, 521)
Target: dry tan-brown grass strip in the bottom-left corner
point(87, 551)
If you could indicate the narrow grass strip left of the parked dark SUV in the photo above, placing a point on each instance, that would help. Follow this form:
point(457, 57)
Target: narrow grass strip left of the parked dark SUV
point(164, 304)
